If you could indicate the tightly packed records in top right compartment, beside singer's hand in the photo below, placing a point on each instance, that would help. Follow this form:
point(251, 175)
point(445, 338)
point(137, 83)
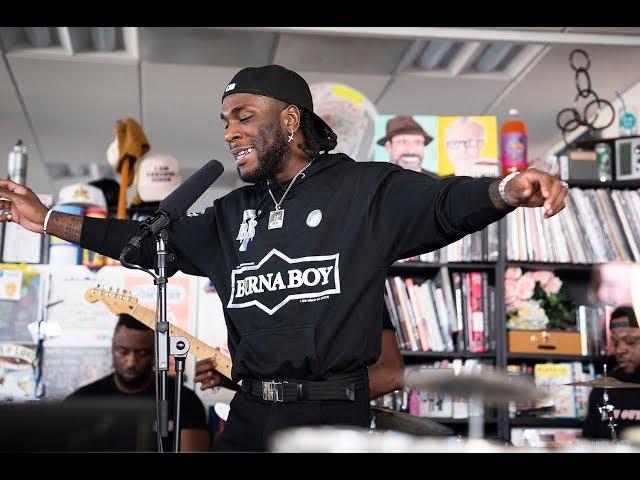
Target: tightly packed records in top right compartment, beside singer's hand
point(598, 225)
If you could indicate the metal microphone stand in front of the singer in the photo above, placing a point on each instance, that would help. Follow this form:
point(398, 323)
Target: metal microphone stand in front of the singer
point(165, 345)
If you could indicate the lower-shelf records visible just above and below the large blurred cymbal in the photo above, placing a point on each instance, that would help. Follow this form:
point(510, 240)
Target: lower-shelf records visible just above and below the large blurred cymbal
point(444, 408)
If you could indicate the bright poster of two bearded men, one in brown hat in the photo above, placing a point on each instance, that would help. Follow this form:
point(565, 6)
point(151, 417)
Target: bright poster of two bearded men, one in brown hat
point(441, 145)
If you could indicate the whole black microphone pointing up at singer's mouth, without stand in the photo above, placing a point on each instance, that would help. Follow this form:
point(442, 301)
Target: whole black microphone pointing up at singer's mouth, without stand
point(176, 204)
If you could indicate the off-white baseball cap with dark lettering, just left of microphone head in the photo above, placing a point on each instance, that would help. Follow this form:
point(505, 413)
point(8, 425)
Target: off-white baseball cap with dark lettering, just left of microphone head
point(157, 175)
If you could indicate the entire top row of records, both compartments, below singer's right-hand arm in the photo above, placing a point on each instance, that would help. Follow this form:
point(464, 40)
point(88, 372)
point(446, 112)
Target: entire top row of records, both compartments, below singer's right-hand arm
point(606, 216)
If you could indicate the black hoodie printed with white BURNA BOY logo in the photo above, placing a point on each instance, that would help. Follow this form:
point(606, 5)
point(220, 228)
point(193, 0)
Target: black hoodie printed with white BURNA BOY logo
point(305, 301)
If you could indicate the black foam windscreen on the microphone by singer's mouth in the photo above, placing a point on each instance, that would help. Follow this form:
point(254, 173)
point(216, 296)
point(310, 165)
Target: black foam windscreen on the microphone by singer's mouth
point(176, 204)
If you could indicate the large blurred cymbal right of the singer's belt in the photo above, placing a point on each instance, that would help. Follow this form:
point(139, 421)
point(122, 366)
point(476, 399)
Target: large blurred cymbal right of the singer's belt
point(489, 385)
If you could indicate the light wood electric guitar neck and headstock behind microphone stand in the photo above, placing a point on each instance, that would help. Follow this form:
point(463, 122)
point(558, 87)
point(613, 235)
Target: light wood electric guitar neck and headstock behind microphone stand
point(121, 302)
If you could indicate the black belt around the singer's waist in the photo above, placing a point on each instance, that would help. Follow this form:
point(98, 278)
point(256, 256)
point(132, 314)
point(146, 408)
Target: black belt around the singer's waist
point(342, 387)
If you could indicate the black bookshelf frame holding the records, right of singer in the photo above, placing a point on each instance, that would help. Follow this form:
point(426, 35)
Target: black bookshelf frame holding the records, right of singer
point(578, 273)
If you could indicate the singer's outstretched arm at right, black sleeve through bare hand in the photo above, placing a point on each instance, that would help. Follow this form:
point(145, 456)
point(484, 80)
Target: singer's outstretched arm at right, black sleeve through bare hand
point(411, 213)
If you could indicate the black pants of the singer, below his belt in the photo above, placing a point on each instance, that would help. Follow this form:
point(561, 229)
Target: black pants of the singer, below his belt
point(252, 420)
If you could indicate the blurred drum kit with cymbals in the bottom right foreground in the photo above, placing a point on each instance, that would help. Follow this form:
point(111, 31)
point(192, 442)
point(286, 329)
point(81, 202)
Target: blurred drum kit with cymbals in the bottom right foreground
point(399, 432)
